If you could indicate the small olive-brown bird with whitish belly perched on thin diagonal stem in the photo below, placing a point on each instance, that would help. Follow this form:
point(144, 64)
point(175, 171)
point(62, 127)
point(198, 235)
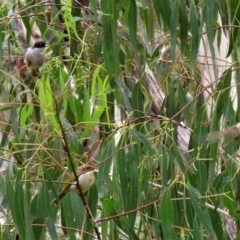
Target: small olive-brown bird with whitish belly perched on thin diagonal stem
point(86, 179)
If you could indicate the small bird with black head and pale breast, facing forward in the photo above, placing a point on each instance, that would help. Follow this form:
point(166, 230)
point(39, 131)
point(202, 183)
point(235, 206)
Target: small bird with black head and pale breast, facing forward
point(35, 55)
